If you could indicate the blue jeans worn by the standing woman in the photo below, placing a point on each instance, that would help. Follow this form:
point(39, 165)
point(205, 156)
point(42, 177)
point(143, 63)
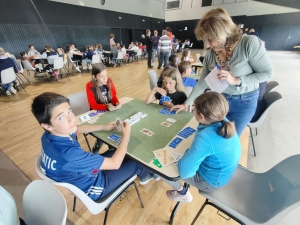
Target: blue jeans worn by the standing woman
point(241, 109)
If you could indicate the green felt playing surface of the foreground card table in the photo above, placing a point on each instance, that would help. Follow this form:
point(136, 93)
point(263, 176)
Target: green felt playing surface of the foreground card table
point(142, 146)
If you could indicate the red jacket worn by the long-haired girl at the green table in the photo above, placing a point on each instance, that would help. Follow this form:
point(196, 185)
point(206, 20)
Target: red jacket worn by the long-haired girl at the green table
point(92, 99)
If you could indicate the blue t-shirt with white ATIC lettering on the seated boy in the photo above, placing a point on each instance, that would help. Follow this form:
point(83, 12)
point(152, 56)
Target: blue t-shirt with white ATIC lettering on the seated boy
point(63, 160)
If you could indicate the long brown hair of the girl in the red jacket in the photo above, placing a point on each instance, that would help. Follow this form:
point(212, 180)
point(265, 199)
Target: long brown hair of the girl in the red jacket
point(96, 69)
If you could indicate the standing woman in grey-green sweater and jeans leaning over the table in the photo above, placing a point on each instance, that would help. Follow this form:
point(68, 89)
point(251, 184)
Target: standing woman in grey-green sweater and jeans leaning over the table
point(243, 63)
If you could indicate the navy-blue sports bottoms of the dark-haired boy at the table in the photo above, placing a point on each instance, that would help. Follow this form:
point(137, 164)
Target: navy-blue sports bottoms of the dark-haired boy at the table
point(114, 178)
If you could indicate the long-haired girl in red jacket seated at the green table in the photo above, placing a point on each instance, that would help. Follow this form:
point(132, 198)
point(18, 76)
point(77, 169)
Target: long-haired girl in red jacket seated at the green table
point(101, 94)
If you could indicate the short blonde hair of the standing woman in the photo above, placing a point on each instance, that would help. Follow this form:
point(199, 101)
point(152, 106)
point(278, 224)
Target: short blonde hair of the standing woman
point(217, 25)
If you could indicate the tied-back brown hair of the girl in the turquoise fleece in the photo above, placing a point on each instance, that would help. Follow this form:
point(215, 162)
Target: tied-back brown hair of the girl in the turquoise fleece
point(214, 107)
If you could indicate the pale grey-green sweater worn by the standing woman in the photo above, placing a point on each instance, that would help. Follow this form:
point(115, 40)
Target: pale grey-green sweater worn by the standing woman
point(249, 62)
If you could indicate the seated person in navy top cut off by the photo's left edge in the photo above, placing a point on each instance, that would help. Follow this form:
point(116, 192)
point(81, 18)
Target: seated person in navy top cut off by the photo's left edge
point(5, 63)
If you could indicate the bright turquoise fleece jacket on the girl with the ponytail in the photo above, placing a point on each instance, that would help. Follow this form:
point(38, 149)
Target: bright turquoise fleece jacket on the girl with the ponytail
point(215, 158)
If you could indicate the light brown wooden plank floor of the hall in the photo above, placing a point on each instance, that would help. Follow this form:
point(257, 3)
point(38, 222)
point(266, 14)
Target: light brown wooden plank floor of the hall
point(20, 141)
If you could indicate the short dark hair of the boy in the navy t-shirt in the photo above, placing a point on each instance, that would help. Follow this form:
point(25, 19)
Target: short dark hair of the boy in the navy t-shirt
point(43, 105)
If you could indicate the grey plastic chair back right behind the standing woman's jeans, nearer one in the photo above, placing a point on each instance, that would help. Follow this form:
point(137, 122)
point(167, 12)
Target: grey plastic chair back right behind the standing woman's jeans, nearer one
point(270, 99)
